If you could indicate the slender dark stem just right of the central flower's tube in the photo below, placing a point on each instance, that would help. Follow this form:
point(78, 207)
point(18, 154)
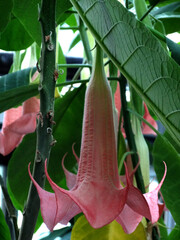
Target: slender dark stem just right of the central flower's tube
point(129, 134)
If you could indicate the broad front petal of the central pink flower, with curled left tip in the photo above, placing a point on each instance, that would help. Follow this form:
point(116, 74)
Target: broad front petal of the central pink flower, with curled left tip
point(100, 203)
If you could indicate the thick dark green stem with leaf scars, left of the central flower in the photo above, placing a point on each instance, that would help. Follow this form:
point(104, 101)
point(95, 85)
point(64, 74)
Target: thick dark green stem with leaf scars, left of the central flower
point(45, 118)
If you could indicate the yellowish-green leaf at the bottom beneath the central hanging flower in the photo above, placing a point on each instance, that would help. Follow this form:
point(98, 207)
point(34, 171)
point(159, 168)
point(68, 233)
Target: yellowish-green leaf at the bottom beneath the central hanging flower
point(113, 231)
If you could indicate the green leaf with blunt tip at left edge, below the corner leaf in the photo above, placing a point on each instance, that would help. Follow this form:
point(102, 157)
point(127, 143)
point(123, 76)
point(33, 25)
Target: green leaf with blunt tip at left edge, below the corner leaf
point(15, 37)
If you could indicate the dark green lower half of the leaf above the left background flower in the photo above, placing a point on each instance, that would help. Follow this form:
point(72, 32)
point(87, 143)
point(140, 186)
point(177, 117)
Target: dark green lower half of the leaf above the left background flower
point(16, 96)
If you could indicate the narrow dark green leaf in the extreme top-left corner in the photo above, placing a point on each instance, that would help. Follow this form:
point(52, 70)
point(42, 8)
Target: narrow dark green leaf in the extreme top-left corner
point(5, 13)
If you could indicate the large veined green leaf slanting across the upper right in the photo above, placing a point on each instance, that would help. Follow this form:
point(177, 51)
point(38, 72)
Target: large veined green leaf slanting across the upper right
point(138, 55)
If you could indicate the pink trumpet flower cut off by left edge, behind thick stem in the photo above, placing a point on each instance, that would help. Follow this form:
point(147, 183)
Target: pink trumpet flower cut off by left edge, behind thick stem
point(18, 122)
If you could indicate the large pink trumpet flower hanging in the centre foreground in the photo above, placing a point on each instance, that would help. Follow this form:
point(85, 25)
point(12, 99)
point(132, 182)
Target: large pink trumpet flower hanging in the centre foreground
point(96, 190)
